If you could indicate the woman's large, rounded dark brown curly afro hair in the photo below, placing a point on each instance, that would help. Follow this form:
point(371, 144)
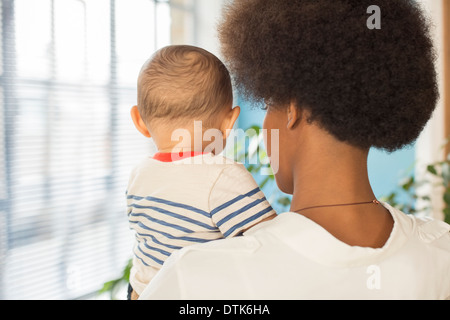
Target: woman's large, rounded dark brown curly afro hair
point(367, 87)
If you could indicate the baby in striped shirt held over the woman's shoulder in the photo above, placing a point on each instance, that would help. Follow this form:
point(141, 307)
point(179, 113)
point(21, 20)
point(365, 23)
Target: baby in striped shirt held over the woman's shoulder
point(174, 201)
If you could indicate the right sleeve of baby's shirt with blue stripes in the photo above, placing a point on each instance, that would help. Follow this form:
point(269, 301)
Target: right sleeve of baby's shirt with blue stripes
point(236, 202)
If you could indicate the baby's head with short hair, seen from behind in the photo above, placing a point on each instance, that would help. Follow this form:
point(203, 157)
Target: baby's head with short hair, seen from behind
point(181, 84)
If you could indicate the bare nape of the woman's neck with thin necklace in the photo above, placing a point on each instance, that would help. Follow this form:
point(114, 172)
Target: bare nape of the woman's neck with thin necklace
point(335, 173)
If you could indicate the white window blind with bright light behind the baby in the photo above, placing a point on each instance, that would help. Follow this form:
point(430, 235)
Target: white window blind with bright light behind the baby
point(68, 74)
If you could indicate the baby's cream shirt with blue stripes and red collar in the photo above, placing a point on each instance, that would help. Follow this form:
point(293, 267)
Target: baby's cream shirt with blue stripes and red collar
point(174, 204)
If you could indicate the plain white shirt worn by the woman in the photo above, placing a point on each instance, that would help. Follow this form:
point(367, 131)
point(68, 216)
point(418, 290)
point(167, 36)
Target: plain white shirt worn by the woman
point(292, 257)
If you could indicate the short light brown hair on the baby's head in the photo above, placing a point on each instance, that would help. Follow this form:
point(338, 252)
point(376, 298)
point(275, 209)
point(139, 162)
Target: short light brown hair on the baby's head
point(183, 82)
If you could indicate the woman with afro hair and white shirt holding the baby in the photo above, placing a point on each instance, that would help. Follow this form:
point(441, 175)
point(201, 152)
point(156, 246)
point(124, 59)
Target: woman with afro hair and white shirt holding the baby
point(334, 88)
